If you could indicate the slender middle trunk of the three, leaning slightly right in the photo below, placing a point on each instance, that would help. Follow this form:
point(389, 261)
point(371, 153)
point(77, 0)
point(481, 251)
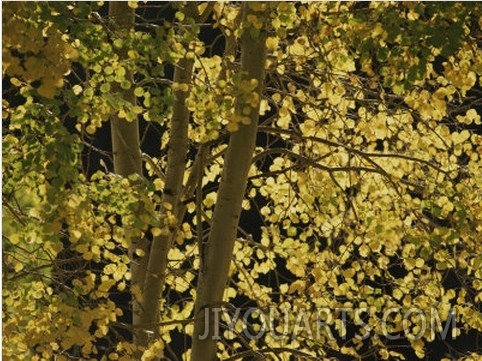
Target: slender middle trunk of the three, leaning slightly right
point(172, 195)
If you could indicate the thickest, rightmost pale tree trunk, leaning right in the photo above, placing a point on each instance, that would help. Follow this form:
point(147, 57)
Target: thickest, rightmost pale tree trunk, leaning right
point(217, 251)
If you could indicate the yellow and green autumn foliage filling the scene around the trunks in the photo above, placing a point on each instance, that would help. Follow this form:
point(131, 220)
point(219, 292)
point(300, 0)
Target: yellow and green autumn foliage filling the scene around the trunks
point(366, 177)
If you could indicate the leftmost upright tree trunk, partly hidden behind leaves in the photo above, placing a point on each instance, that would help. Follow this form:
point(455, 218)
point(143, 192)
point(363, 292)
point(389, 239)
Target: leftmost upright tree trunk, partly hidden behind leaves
point(127, 151)
